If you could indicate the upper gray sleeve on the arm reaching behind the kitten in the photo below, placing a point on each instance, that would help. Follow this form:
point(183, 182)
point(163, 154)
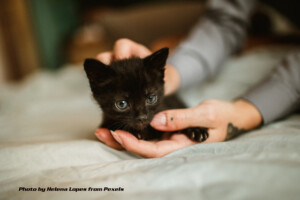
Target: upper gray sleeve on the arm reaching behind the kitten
point(220, 32)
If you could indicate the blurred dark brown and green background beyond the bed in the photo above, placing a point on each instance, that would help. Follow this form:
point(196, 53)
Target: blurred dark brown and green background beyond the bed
point(46, 34)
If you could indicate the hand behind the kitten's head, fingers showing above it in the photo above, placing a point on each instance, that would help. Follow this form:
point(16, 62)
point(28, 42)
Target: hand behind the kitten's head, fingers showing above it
point(125, 48)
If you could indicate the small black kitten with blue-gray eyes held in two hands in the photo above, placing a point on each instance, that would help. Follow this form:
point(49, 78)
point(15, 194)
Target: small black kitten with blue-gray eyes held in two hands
point(131, 91)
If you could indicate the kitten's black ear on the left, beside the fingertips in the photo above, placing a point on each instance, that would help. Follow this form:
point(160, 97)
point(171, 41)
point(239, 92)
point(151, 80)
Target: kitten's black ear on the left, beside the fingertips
point(97, 71)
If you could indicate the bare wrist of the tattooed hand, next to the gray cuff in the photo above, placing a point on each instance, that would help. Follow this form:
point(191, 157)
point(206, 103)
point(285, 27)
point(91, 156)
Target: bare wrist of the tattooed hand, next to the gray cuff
point(247, 115)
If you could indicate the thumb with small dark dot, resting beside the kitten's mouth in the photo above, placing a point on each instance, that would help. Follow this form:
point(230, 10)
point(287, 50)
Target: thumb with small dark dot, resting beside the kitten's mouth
point(177, 119)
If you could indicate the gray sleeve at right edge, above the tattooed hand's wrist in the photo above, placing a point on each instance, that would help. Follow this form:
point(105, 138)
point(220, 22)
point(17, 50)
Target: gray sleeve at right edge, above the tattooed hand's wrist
point(279, 95)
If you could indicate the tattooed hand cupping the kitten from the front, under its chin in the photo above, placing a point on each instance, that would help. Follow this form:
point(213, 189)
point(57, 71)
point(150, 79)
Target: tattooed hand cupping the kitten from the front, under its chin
point(224, 120)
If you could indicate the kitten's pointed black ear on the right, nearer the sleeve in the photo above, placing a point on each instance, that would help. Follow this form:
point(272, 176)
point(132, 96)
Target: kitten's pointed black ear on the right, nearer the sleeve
point(157, 60)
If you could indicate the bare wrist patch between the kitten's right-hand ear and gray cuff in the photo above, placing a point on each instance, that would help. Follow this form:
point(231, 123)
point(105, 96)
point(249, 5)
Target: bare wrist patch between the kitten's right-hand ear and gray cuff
point(172, 80)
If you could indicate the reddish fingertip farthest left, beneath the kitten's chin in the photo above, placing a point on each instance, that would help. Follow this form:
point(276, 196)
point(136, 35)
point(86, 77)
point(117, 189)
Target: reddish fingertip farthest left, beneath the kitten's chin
point(105, 136)
